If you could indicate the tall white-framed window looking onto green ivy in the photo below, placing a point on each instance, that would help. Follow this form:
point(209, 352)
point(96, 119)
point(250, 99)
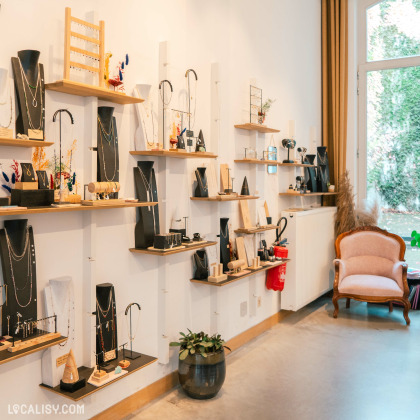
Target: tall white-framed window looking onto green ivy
point(389, 113)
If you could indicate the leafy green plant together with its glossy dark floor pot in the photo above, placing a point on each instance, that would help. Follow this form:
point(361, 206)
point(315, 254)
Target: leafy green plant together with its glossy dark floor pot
point(202, 365)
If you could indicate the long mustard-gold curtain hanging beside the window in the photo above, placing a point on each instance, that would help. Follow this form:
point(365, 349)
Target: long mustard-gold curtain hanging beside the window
point(335, 84)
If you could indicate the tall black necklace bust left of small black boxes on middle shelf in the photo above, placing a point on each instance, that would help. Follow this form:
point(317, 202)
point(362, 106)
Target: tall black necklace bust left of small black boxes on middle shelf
point(147, 225)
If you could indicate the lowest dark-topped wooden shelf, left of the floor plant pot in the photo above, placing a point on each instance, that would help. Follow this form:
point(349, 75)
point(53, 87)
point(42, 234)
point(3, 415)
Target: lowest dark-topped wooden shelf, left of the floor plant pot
point(85, 372)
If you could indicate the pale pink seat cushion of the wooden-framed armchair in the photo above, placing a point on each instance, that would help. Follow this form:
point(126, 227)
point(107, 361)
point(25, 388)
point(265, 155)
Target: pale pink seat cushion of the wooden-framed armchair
point(368, 285)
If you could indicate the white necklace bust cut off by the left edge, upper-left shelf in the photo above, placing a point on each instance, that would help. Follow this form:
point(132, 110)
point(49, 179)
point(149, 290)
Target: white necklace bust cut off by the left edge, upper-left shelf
point(7, 106)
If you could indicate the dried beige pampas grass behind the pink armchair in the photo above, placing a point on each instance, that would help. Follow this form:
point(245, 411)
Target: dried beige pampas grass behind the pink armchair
point(348, 216)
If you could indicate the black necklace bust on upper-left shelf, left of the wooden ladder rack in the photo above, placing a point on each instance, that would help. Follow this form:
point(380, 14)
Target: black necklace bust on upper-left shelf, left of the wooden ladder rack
point(29, 83)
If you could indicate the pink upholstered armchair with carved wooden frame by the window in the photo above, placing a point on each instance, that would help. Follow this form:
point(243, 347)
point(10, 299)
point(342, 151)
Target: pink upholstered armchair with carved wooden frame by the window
point(370, 267)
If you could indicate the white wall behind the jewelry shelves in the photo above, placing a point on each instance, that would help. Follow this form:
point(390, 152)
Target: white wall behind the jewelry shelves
point(277, 43)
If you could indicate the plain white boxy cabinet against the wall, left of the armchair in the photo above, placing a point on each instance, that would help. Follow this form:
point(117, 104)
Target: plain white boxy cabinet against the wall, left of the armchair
point(309, 274)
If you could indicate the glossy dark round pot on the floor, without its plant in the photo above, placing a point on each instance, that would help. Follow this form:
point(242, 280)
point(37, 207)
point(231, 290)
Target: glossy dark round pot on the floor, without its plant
point(202, 377)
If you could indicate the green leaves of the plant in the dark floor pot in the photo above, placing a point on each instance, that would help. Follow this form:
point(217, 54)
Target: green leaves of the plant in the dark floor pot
point(198, 343)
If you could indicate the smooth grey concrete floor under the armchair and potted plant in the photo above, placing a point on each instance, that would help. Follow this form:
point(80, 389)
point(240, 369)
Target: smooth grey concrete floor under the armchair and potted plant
point(363, 365)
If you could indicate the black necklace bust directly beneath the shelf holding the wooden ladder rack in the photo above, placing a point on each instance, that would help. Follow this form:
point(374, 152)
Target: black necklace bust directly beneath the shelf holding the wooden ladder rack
point(107, 141)
